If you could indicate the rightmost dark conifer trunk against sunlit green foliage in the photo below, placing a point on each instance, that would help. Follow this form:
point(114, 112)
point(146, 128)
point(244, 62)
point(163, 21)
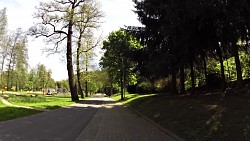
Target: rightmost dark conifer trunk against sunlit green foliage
point(238, 65)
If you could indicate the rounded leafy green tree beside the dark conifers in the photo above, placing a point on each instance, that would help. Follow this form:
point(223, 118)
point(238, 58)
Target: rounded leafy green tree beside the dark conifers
point(119, 47)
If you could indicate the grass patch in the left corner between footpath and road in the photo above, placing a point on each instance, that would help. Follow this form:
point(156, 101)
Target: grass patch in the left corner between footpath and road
point(7, 112)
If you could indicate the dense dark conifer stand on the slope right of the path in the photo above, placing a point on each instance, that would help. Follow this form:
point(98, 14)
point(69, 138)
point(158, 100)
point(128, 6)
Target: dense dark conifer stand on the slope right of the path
point(190, 44)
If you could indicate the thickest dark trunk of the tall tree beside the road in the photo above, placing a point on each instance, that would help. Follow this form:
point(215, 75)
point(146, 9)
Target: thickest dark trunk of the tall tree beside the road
point(72, 85)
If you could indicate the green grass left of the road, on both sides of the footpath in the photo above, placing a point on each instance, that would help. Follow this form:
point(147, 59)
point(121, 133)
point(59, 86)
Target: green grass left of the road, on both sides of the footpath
point(40, 101)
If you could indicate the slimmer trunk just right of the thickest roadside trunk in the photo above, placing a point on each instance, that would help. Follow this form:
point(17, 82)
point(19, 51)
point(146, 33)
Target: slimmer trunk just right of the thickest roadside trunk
point(80, 91)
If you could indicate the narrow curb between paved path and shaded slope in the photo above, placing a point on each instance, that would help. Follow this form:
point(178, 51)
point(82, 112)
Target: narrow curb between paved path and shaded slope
point(167, 132)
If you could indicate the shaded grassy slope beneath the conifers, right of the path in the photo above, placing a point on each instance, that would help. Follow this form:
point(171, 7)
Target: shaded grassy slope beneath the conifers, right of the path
point(199, 118)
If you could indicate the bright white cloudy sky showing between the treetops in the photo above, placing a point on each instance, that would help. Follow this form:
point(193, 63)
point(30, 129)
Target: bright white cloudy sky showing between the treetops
point(117, 14)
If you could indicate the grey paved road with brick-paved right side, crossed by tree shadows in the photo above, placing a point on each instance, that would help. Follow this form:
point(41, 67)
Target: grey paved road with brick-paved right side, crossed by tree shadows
point(96, 119)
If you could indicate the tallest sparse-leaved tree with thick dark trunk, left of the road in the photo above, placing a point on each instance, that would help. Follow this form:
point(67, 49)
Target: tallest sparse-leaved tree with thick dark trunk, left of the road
point(57, 22)
